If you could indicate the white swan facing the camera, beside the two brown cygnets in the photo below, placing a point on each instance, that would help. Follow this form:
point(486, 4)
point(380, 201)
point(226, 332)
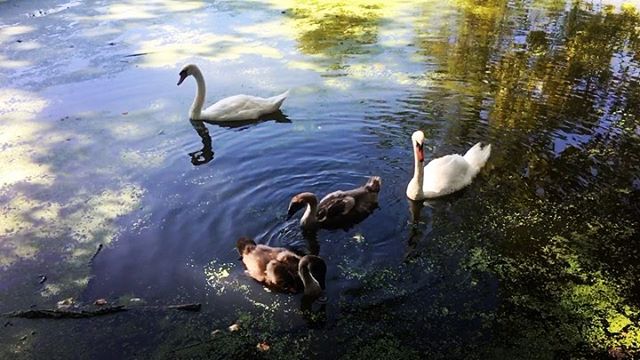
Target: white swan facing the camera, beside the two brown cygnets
point(444, 175)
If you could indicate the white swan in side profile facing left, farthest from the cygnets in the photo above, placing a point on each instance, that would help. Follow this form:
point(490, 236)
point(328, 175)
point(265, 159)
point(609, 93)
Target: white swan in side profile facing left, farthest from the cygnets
point(233, 108)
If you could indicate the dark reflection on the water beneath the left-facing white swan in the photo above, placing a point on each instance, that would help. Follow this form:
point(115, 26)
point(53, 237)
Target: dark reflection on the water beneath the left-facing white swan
point(206, 154)
